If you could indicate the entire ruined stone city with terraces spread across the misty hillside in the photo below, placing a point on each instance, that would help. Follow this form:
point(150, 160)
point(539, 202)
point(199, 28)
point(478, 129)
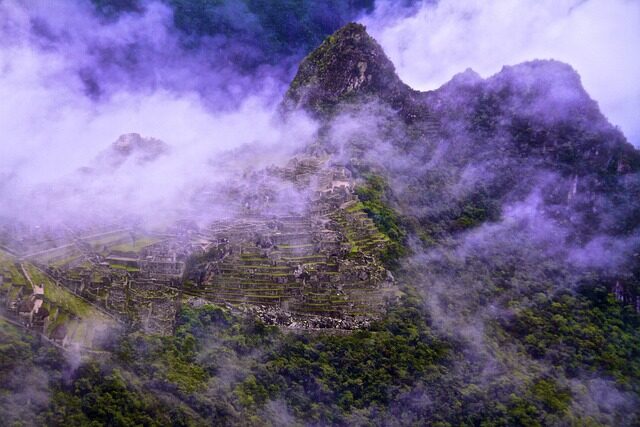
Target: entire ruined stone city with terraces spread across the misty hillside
point(317, 265)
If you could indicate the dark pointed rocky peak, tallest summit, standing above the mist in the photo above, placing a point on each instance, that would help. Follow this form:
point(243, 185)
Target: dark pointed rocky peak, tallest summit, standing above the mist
point(347, 64)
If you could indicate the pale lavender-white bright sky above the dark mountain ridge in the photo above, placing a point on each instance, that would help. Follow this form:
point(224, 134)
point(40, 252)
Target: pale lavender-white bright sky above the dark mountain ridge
point(599, 38)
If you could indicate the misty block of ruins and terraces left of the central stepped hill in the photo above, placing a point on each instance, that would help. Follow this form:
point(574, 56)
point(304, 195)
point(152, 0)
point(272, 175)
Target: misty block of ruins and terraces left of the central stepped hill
point(132, 277)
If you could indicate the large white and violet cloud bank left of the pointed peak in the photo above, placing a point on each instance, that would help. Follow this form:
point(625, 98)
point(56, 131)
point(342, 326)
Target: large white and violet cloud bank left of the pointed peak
point(72, 83)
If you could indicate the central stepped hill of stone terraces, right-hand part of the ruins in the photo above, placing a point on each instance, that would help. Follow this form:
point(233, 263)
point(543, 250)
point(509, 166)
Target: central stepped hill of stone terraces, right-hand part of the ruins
point(310, 270)
